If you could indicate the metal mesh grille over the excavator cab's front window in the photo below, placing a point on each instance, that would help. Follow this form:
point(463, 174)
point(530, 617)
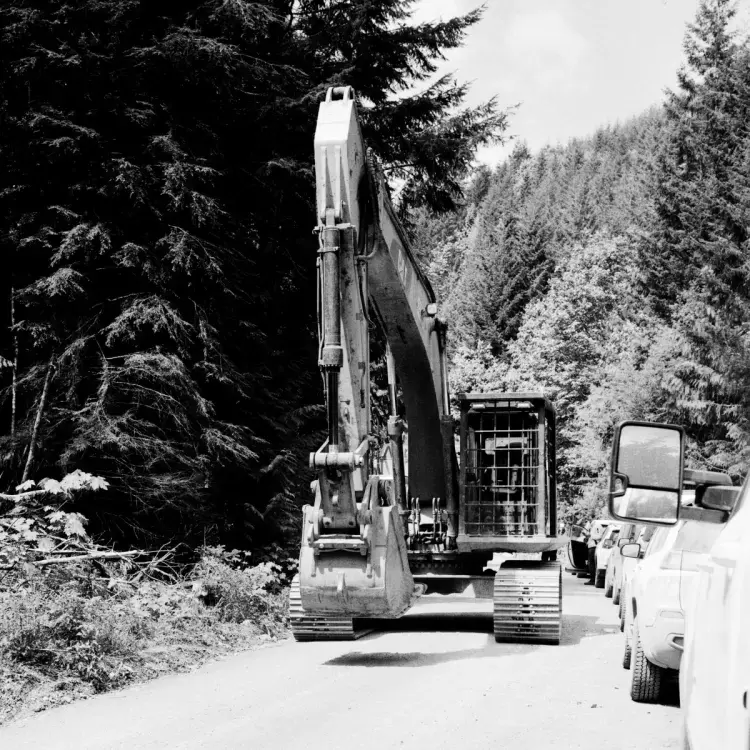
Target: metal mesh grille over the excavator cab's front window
point(502, 473)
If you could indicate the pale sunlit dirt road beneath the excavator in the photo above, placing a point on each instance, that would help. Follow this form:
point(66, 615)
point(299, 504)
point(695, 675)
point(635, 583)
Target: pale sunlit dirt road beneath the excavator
point(436, 679)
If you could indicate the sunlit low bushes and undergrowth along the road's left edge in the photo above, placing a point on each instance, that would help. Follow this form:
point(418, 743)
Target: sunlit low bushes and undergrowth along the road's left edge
point(78, 619)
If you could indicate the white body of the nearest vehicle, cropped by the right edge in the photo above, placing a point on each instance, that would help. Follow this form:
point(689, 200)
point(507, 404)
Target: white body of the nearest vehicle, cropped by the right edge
point(715, 671)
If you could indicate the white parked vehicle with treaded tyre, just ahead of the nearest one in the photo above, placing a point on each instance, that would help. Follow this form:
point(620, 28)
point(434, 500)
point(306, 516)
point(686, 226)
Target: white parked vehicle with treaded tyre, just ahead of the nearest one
point(660, 584)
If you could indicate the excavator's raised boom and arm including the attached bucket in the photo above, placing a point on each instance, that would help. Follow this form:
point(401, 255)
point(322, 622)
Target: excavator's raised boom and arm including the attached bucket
point(353, 560)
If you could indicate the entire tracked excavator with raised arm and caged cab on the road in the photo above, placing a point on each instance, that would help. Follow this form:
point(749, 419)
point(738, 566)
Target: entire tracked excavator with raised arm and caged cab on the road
point(373, 541)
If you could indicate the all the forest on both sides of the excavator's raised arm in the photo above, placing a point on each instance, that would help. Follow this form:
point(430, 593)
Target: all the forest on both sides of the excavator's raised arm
point(157, 304)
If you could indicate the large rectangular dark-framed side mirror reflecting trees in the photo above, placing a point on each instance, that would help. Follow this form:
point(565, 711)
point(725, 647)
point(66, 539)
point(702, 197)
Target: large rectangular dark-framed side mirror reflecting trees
point(646, 472)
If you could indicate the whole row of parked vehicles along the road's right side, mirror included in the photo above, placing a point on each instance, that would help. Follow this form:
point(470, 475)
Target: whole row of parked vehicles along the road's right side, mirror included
point(681, 578)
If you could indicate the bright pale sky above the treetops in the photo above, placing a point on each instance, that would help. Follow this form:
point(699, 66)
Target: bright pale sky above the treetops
point(572, 65)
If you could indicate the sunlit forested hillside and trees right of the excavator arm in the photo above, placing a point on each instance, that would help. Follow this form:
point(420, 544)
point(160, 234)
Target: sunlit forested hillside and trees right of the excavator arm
point(612, 273)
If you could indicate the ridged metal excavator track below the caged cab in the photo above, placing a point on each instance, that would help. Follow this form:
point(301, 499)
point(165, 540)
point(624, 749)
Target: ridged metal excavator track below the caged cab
point(527, 605)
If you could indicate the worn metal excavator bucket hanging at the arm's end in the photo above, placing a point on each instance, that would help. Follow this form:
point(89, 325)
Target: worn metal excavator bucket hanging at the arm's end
point(357, 575)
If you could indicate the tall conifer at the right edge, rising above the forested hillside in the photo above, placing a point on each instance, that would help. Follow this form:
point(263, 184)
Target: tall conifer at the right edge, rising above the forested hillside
point(699, 256)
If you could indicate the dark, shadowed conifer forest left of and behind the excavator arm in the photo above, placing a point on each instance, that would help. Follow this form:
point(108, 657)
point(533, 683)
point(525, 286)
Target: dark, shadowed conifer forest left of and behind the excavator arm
point(158, 298)
